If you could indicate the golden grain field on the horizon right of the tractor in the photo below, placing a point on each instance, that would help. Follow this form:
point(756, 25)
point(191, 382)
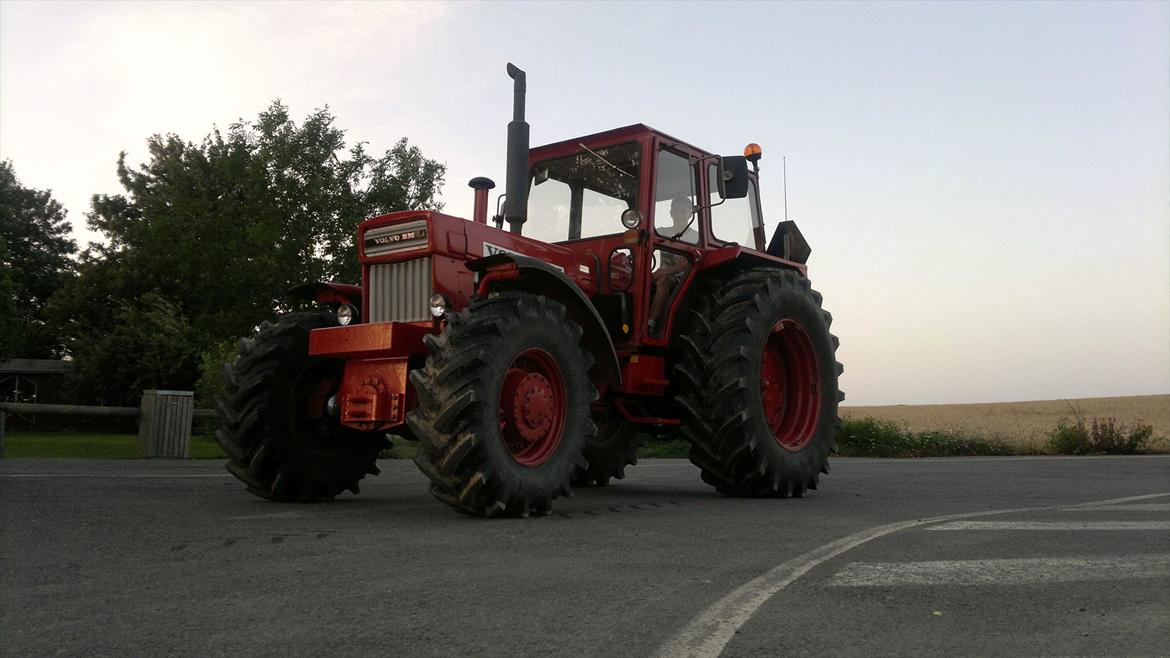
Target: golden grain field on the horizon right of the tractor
point(1023, 423)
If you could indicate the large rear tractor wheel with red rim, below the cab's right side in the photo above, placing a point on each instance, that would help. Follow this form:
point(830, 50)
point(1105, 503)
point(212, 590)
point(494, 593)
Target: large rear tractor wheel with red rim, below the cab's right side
point(759, 385)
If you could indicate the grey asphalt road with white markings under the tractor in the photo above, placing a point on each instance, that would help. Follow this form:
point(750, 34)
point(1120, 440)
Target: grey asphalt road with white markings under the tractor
point(1041, 557)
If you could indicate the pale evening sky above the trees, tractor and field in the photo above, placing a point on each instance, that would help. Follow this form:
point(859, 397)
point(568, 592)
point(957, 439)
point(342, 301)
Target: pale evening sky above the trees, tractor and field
point(986, 187)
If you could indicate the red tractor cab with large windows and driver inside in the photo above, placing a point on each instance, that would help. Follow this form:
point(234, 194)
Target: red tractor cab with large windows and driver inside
point(648, 208)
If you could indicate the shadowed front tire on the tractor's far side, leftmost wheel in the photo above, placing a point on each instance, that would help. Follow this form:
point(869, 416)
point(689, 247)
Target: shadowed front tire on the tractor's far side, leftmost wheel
point(273, 422)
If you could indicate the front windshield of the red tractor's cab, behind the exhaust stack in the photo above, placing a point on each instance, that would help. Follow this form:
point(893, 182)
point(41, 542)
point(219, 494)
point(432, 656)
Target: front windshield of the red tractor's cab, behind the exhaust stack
point(583, 196)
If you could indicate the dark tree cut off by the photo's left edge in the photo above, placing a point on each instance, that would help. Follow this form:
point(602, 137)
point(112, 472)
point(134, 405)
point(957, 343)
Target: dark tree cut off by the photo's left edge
point(36, 262)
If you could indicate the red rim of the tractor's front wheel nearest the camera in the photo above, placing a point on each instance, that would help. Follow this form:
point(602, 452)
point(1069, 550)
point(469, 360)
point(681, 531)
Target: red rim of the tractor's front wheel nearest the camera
point(533, 408)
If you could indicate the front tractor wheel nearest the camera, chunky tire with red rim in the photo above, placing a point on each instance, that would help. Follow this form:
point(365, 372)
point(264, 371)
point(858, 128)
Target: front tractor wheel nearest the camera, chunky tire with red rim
point(504, 410)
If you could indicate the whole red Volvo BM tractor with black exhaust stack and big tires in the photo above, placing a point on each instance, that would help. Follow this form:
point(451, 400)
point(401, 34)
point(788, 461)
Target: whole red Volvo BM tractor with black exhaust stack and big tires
point(644, 301)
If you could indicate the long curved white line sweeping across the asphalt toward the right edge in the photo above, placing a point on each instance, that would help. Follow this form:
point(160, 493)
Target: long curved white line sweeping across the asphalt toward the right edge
point(710, 633)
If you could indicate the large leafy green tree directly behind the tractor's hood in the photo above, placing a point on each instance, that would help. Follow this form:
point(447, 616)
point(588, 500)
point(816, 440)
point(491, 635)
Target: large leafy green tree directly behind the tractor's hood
point(225, 228)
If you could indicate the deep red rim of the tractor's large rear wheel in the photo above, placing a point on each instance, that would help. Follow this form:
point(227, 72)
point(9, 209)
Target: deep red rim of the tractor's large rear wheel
point(790, 386)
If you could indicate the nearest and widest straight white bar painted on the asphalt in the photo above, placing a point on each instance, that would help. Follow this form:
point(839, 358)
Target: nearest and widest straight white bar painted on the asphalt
point(1003, 572)
